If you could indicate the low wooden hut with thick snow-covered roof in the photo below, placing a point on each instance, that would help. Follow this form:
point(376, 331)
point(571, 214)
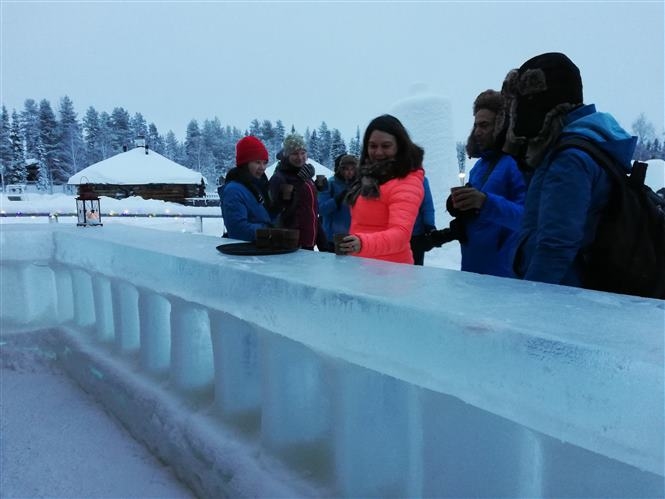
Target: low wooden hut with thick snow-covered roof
point(142, 172)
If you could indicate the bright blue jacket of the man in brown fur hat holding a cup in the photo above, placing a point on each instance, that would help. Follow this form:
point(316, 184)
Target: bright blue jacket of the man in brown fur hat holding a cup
point(491, 235)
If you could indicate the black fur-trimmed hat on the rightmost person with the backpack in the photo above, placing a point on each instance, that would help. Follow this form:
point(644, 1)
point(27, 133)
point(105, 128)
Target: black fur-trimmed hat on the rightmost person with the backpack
point(544, 82)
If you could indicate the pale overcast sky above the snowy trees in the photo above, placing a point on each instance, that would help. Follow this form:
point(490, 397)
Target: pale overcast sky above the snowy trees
point(304, 62)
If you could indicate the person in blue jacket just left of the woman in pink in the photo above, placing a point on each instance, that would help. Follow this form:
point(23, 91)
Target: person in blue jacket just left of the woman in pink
point(335, 214)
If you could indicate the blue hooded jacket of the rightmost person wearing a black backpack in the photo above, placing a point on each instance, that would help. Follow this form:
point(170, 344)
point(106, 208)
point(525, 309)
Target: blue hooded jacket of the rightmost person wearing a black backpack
point(566, 196)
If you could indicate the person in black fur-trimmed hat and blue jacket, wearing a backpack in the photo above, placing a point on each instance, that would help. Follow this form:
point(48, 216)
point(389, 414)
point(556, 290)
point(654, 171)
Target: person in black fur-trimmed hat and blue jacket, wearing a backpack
point(568, 190)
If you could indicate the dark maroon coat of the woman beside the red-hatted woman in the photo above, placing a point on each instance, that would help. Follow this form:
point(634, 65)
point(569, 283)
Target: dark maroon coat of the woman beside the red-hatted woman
point(302, 211)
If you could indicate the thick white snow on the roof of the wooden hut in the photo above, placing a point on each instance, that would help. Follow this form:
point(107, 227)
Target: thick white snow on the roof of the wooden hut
point(135, 167)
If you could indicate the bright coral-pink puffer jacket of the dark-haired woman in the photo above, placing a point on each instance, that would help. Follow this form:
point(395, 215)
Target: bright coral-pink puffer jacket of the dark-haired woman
point(384, 224)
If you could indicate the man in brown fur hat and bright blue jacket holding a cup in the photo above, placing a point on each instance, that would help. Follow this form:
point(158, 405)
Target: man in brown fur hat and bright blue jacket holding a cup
point(489, 208)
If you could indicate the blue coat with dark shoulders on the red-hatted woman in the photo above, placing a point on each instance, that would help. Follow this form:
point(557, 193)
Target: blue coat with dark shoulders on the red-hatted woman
point(244, 199)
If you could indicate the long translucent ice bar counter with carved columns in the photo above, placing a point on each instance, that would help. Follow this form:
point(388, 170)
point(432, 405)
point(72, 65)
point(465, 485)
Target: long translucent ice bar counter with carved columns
point(362, 378)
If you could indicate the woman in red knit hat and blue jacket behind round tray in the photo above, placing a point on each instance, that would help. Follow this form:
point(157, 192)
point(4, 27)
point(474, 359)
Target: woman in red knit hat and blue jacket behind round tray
point(244, 195)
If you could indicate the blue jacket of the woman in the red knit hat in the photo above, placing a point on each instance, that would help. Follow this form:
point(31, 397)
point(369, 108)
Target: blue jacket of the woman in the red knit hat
point(242, 212)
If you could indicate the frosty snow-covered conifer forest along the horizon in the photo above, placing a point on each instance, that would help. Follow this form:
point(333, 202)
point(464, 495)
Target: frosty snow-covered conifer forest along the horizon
point(36, 146)
